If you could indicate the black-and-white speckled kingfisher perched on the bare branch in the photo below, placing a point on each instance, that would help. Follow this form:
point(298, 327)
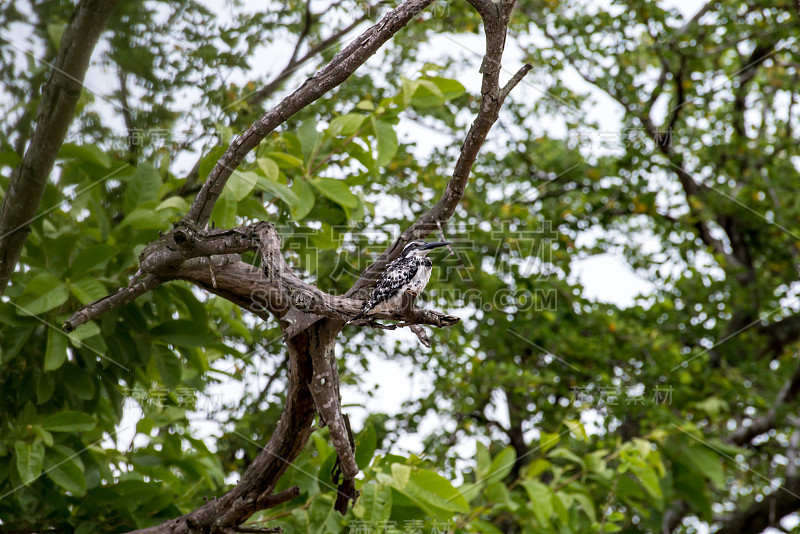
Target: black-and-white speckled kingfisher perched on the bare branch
point(410, 272)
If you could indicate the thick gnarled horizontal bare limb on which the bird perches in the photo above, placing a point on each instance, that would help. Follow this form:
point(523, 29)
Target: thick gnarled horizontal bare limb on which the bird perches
point(182, 254)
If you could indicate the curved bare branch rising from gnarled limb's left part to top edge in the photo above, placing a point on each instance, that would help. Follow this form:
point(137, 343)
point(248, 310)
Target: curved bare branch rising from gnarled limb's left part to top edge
point(337, 71)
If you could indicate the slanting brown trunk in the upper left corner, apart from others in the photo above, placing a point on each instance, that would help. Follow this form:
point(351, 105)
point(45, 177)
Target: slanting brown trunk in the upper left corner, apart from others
point(56, 110)
